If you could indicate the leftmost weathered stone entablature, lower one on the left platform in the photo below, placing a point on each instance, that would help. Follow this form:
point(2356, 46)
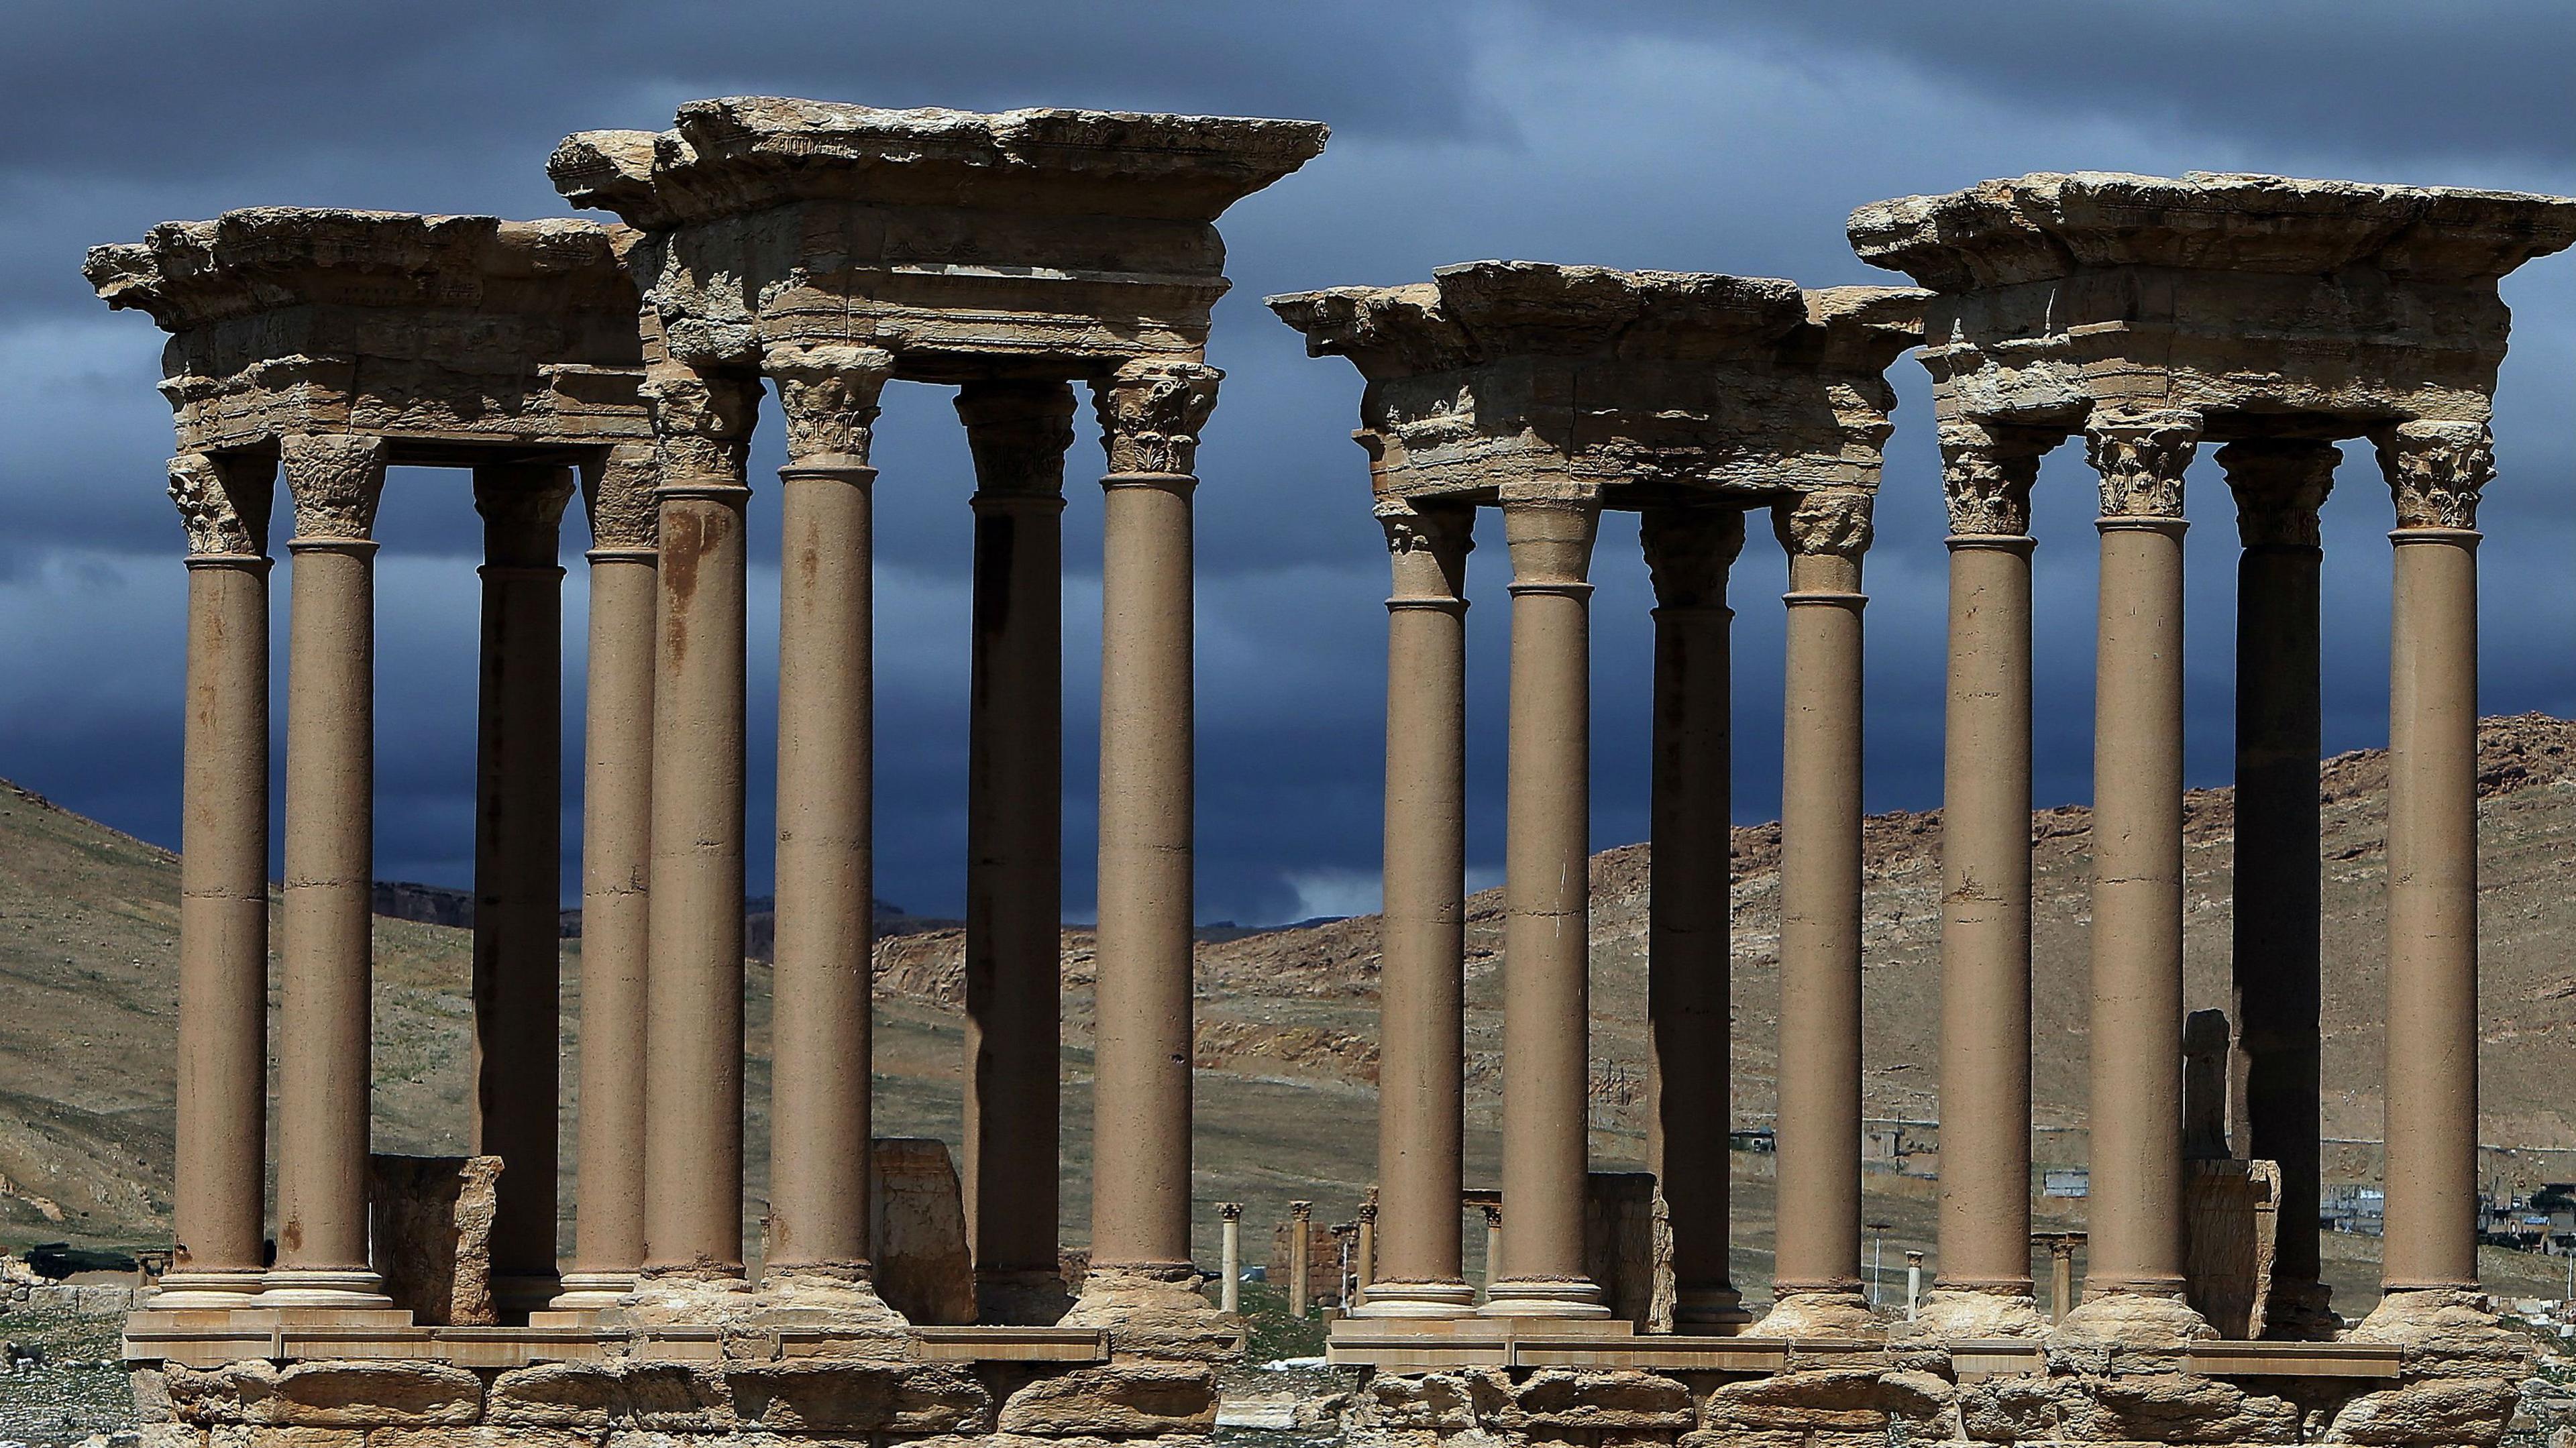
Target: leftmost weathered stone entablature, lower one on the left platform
point(437, 334)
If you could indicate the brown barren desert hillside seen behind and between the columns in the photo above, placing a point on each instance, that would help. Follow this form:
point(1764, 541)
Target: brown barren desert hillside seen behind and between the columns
point(1287, 1019)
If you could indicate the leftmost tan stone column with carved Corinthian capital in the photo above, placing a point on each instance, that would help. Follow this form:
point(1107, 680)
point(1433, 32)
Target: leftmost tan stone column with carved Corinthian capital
point(223, 903)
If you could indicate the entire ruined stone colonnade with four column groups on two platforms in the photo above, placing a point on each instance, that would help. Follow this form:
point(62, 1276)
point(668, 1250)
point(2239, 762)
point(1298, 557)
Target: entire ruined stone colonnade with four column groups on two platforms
point(833, 249)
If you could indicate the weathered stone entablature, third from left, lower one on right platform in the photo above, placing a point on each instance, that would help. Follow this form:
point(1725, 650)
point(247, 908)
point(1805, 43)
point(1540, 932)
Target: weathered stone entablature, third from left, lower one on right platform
point(1627, 388)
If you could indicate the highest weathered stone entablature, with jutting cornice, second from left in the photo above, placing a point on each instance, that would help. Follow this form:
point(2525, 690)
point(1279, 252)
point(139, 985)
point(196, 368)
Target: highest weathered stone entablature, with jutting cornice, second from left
point(1070, 241)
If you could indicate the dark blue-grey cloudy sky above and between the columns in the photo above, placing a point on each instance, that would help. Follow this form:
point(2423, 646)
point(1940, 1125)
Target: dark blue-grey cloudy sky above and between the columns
point(1622, 133)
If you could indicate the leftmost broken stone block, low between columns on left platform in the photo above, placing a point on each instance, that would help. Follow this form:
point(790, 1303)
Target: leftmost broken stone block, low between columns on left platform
point(431, 1235)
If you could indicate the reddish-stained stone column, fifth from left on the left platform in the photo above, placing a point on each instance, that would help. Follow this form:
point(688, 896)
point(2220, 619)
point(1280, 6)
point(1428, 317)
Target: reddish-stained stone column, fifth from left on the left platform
point(694, 888)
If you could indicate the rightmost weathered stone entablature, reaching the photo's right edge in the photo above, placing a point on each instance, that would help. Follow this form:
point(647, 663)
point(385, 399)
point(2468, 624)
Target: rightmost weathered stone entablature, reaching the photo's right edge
point(2268, 305)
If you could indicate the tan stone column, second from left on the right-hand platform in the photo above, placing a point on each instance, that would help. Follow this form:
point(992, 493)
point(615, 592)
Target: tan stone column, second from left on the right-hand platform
point(1547, 916)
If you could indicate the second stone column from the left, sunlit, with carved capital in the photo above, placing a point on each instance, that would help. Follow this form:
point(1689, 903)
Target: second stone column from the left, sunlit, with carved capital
point(331, 867)
